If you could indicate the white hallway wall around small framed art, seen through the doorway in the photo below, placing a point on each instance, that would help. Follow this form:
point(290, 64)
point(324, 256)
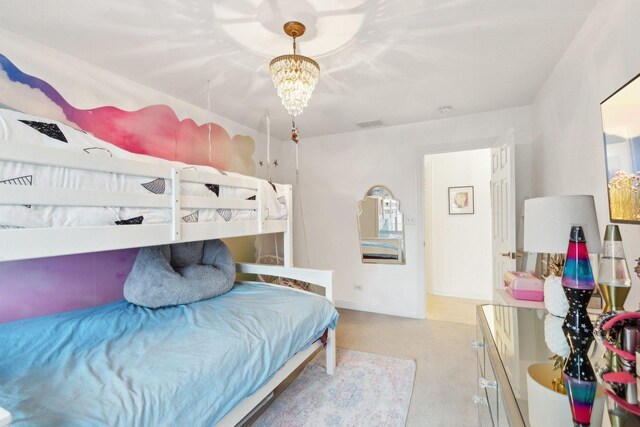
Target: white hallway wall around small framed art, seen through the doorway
point(460, 262)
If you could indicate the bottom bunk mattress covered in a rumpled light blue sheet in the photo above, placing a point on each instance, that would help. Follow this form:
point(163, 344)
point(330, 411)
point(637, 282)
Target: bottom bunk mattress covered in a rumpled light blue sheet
point(121, 364)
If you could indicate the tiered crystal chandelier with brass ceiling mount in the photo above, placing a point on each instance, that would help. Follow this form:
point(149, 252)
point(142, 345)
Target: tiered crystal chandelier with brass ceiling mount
point(294, 76)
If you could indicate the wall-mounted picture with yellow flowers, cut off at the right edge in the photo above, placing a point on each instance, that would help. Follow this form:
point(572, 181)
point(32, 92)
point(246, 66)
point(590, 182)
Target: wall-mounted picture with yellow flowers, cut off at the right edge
point(621, 129)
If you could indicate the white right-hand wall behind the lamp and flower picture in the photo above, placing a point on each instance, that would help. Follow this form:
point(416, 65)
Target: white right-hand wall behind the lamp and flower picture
point(568, 148)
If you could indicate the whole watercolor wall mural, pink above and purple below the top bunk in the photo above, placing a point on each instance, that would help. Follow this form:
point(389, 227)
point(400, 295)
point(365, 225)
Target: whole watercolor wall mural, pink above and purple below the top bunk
point(43, 286)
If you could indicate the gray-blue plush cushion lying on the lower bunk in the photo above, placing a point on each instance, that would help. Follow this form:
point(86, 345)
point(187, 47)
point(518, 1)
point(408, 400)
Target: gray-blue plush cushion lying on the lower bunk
point(180, 274)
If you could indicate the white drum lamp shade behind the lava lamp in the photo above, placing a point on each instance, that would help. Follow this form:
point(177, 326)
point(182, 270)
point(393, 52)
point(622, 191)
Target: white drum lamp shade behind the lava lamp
point(548, 221)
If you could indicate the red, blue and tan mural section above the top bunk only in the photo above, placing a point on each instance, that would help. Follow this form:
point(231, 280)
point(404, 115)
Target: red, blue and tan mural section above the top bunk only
point(155, 130)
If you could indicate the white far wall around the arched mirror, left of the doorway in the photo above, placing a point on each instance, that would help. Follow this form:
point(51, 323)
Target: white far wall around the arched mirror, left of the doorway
point(336, 171)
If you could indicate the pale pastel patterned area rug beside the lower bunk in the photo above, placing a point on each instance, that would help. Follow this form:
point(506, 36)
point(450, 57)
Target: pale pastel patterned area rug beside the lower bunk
point(366, 390)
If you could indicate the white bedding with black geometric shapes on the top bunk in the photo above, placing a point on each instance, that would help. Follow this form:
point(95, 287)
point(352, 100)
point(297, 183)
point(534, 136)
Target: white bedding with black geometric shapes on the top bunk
point(20, 128)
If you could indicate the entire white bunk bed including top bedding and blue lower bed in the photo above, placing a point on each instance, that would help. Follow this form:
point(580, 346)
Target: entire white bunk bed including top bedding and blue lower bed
point(84, 195)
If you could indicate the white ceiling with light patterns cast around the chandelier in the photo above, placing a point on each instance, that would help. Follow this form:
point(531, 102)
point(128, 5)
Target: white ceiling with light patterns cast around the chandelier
point(391, 60)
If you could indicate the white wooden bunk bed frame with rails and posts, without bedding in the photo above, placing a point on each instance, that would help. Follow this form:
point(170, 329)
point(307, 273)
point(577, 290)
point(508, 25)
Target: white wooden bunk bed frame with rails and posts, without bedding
point(28, 243)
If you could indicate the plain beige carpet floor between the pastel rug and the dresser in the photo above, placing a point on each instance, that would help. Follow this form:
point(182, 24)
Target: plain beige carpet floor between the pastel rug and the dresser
point(446, 365)
